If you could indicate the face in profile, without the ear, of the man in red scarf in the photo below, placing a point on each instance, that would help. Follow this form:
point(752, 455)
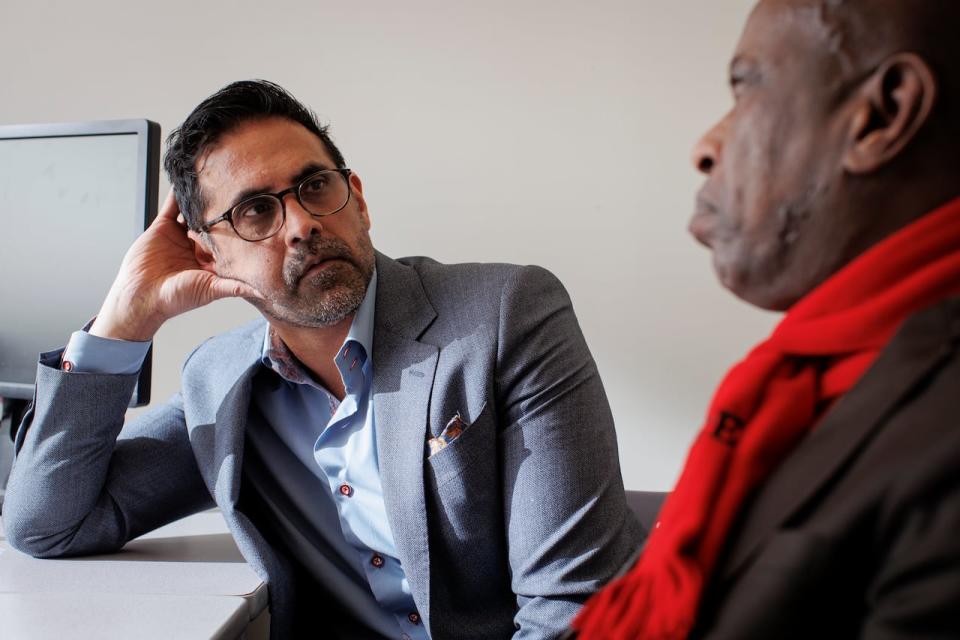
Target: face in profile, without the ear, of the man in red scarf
point(773, 161)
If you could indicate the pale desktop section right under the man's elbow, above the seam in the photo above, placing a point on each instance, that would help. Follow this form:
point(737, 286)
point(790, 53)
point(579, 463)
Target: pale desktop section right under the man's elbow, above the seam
point(193, 557)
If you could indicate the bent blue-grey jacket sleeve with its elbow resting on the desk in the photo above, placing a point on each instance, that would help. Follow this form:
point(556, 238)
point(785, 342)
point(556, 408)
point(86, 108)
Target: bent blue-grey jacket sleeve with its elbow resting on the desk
point(82, 481)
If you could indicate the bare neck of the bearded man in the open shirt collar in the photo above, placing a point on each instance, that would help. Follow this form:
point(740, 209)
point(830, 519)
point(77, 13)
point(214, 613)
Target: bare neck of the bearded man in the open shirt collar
point(316, 348)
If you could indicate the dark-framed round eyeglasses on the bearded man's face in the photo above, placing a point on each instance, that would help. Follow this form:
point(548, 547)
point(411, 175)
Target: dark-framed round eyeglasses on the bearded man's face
point(260, 217)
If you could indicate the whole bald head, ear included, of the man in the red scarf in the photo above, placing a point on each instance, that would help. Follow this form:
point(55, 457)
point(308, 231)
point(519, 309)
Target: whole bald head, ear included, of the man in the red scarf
point(843, 130)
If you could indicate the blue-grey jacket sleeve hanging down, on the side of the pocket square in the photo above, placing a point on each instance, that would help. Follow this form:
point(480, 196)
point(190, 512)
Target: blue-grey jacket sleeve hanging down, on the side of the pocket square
point(568, 526)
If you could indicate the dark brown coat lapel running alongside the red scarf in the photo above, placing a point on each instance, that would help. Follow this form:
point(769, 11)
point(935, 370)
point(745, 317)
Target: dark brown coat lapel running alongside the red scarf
point(921, 345)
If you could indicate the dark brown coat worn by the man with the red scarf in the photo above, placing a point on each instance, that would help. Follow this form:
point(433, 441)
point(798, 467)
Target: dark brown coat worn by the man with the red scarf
point(857, 533)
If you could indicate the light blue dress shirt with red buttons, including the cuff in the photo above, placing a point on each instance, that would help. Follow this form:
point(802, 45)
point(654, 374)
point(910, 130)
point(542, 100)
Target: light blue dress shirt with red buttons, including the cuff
point(335, 440)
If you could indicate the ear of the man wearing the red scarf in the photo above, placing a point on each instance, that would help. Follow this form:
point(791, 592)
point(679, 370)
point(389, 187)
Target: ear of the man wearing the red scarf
point(894, 104)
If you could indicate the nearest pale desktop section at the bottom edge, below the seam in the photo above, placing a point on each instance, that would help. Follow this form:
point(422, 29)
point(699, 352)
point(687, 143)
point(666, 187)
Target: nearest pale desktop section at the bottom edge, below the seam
point(54, 616)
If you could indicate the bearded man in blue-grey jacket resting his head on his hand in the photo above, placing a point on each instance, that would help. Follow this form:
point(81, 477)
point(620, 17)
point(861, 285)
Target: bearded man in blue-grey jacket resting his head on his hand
point(420, 450)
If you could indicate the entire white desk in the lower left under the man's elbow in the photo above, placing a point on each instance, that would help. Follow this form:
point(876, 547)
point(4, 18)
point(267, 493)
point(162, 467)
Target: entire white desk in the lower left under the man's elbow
point(186, 580)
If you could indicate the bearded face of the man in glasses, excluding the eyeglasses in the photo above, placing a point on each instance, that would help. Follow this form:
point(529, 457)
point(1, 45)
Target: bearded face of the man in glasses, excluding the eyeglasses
point(315, 271)
